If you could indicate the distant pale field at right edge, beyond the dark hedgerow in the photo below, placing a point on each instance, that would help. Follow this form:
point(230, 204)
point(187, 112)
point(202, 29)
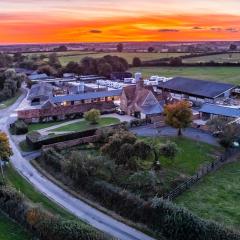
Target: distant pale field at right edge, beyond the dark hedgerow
point(220, 58)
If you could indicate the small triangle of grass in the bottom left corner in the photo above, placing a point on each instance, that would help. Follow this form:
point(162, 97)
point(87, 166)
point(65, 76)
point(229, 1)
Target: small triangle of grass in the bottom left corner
point(10, 230)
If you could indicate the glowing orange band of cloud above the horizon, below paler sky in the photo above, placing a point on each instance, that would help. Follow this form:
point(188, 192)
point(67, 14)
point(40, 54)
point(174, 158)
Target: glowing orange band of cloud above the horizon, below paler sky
point(33, 28)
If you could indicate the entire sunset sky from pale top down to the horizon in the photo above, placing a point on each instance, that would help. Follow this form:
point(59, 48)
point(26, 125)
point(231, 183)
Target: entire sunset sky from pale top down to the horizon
point(32, 21)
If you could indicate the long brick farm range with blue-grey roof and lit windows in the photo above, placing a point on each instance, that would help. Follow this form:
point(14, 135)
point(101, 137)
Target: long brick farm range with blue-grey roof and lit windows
point(70, 106)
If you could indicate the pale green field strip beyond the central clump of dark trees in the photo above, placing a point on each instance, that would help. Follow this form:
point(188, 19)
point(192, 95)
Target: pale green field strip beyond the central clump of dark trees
point(128, 56)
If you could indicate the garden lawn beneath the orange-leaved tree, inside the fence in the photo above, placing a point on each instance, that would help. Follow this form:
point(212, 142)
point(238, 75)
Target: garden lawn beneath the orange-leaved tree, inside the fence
point(191, 155)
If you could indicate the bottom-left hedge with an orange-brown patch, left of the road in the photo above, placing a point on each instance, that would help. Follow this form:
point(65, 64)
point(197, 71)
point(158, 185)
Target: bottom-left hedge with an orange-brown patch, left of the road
point(42, 223)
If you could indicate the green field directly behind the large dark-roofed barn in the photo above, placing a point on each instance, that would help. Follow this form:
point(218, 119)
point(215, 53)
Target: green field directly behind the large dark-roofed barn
point(218, 74)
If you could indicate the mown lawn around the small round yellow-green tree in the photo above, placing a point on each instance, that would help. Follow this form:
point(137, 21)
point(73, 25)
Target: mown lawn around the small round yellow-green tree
point(84, 125)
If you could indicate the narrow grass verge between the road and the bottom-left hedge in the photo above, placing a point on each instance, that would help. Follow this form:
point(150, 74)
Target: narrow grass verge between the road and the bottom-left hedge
point(18, 182)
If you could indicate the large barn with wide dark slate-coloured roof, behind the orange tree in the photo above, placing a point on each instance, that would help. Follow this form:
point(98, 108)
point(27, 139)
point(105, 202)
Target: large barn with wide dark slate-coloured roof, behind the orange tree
point(196, 90)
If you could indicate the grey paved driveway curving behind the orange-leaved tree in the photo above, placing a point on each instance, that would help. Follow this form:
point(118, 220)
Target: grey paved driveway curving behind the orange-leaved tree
point(195, 134)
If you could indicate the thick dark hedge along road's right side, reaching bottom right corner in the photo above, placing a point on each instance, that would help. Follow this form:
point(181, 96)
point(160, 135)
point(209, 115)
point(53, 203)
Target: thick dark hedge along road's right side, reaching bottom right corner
point(173, 222)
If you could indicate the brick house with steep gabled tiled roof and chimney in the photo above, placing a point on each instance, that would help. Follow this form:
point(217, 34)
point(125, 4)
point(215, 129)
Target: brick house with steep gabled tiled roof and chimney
point(140, 101)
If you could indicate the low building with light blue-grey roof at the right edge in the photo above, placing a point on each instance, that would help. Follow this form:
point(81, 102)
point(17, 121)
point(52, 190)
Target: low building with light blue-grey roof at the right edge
point(209, 111)
